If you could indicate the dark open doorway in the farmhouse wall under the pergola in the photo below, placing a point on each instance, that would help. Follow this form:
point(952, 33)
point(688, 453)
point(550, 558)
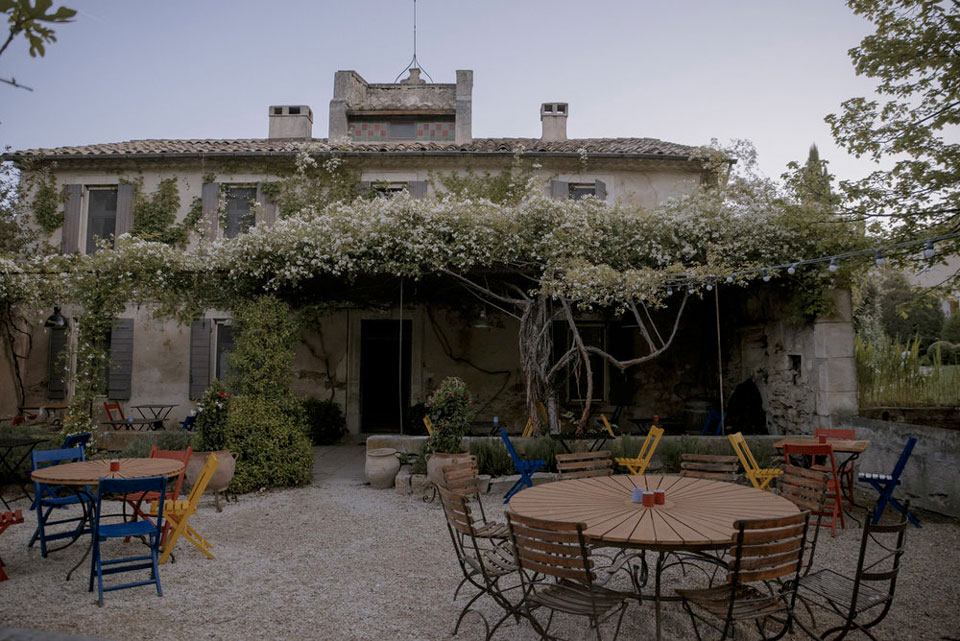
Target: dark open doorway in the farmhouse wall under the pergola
point(384, 374)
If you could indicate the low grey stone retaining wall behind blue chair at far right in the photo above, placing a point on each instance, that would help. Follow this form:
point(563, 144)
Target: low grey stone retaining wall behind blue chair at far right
point(930, 479)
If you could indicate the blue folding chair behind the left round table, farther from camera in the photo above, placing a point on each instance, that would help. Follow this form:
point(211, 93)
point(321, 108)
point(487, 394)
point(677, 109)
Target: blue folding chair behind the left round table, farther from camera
point(48, 498)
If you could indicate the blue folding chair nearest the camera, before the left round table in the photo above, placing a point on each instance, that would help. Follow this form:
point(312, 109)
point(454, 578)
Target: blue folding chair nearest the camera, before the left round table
point(145, 528)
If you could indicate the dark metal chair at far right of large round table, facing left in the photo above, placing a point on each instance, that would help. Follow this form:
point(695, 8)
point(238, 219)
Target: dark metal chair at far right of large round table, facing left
point(851, 597)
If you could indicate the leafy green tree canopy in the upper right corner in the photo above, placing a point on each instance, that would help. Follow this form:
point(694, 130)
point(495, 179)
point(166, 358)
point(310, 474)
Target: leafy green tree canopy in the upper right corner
point(914, 57)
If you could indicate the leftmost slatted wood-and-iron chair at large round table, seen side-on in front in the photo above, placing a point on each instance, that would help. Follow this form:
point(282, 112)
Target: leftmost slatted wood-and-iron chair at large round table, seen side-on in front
point(482, 567)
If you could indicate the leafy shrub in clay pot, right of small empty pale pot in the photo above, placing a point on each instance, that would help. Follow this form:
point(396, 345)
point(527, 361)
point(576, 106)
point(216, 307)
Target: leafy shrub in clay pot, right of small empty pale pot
point(450, 412)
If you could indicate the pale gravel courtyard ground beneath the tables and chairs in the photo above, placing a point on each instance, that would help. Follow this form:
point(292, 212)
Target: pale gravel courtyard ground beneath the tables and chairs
point(339, 560)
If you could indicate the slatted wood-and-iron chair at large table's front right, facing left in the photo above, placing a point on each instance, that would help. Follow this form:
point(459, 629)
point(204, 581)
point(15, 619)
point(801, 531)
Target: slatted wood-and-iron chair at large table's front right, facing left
point(764, 550)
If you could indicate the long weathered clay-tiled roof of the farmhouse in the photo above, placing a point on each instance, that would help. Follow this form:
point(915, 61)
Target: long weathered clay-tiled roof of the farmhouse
point(645, 147)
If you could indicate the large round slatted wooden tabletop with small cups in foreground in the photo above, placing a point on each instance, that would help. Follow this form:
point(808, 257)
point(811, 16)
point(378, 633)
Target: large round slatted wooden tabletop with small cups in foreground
point(698, 513)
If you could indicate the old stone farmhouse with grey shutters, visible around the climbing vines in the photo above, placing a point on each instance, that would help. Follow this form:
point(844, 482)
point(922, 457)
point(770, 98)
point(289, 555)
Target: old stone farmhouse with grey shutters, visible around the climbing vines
point(377, 360)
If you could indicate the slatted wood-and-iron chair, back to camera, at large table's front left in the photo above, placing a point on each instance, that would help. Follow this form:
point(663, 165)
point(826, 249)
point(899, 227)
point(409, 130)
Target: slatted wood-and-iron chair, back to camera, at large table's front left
point(559, 551)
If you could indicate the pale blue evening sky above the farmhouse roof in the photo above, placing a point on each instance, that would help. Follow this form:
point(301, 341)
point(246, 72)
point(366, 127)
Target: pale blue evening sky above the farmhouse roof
point(683, 71)
